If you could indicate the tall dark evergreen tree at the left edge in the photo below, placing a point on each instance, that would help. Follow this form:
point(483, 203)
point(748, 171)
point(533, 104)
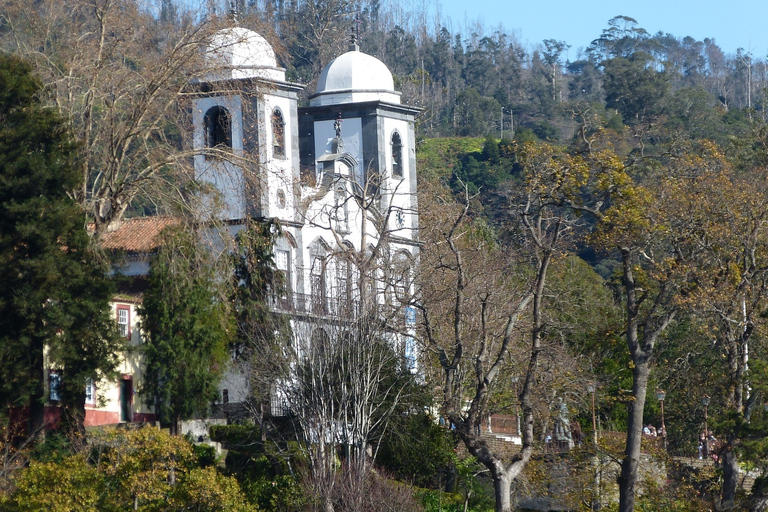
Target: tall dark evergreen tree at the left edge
point(54, 294)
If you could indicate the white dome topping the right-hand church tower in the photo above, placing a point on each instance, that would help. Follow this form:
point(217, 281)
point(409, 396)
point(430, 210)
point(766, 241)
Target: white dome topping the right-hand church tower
point(355, 77)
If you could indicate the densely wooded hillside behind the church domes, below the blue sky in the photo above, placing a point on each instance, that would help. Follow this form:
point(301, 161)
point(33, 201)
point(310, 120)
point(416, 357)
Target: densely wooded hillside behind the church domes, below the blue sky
point(481, 80)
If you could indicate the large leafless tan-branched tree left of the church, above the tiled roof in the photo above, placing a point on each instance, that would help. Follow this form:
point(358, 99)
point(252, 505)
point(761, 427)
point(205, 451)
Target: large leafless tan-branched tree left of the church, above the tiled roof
point(120, 76)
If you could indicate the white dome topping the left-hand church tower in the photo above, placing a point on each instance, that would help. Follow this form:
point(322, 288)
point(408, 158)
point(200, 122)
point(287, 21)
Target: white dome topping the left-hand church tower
point(241, 53)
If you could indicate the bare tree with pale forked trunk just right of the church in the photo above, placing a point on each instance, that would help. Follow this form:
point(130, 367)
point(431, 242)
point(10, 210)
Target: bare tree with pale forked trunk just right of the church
point(484, 293)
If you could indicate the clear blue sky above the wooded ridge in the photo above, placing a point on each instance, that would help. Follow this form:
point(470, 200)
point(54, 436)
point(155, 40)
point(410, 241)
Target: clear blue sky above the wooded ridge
point(734, 24)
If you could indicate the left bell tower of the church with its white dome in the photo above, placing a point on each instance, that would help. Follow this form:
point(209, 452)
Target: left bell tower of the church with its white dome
point(245, 134)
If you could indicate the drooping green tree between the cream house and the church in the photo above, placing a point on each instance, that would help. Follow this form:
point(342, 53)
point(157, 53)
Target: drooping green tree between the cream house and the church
point(187, 327)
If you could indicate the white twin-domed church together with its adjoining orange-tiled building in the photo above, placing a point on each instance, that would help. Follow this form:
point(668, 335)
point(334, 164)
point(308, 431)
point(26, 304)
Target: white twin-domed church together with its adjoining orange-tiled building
point(338, 175)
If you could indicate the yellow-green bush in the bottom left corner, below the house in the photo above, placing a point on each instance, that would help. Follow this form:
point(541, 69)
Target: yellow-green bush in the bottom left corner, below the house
point(144, 469)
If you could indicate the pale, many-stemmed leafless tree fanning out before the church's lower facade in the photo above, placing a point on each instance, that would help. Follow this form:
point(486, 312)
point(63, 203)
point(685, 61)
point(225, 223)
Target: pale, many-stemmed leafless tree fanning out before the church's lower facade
point(347, 380)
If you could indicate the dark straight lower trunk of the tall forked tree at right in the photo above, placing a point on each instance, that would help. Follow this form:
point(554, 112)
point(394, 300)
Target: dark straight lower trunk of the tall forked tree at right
point(629, 467)
